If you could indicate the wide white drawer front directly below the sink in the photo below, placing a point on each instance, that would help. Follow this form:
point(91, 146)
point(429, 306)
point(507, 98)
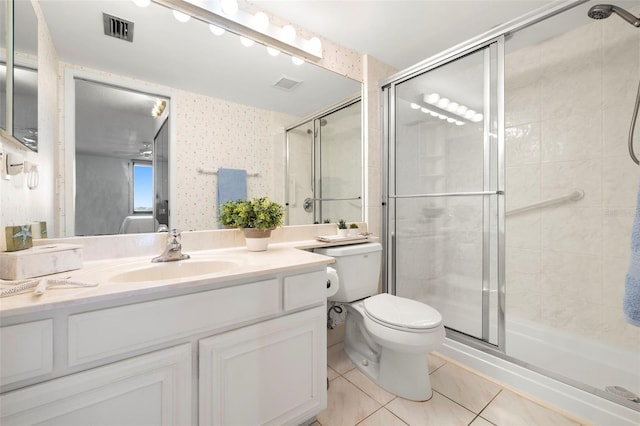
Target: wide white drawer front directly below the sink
point(108, 332)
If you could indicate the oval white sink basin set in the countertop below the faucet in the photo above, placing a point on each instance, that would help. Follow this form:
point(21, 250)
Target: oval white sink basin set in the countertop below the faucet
point(173, 270)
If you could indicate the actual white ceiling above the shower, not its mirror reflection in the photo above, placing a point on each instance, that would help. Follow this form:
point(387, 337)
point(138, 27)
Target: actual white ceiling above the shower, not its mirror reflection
point(400, 33)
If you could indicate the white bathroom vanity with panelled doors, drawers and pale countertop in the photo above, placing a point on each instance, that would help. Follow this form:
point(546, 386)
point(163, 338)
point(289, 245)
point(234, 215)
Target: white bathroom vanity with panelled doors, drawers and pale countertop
point(245, 345)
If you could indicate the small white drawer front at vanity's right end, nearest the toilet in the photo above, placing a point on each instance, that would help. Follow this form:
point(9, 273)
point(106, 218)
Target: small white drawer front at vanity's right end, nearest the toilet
point(305, 290)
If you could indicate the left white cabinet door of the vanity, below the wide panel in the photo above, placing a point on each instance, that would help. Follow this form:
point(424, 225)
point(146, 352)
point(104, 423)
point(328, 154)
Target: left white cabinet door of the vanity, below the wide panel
point(152, 389)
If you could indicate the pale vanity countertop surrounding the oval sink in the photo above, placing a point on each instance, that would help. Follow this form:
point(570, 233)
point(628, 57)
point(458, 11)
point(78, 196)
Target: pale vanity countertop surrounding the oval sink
point(278, 258)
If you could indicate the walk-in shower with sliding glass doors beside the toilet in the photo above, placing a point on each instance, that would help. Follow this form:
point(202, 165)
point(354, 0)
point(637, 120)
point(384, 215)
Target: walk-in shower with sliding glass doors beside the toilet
point(510, 194)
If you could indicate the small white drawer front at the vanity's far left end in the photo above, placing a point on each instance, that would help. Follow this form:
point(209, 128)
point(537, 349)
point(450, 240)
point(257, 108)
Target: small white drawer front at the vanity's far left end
point(26, 351)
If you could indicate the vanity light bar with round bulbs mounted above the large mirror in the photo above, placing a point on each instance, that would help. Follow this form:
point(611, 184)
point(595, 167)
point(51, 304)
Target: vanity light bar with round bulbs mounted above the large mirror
point(223, 14)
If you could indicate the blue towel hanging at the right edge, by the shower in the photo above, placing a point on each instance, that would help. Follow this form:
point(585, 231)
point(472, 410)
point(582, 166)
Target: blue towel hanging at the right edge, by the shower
point(631, 302)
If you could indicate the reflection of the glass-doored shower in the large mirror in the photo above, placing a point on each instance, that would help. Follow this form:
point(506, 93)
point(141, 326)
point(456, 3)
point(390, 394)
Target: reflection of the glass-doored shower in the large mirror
point(324, 167)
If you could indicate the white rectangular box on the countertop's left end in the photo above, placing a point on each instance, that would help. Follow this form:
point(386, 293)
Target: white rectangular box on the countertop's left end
point(40, 260)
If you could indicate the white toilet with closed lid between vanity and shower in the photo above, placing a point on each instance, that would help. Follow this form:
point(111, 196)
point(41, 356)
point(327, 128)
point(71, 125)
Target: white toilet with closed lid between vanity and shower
point(387, 337)
